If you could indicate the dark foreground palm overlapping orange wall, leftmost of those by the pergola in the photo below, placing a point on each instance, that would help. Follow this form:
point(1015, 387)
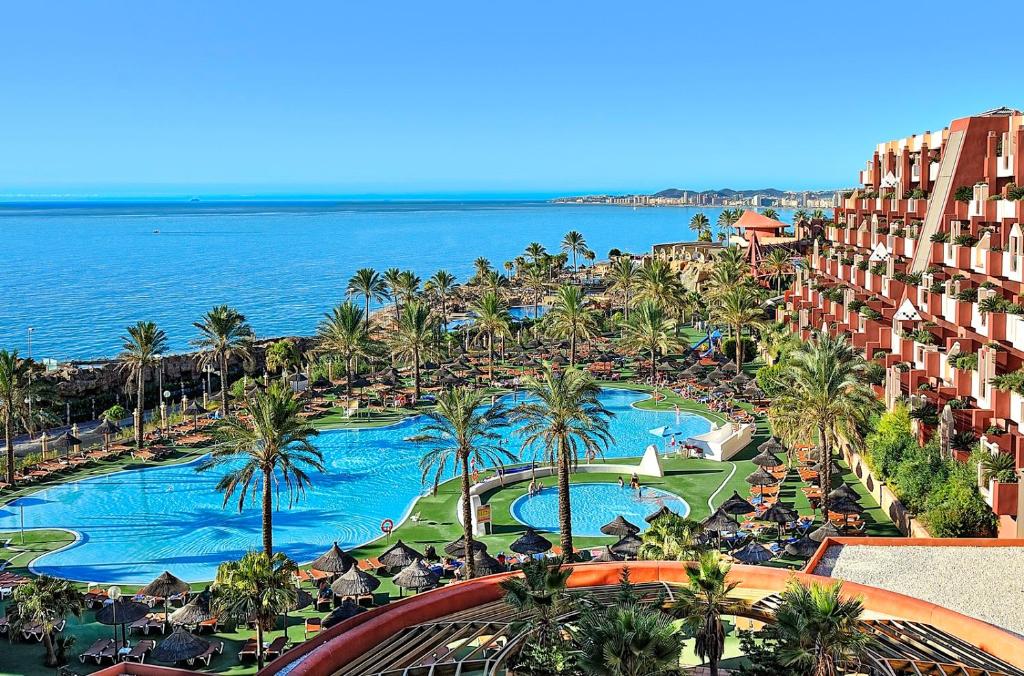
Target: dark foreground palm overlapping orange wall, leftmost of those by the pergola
point(541, 596)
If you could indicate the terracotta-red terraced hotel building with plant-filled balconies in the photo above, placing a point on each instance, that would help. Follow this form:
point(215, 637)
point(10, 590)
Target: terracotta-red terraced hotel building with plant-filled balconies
point(925, 271)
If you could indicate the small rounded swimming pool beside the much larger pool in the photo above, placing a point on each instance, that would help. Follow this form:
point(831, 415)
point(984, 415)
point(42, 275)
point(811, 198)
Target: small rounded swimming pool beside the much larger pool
point(594, 505)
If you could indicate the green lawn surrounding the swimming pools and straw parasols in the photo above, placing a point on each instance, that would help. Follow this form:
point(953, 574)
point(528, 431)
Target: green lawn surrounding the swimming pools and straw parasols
point(697, 481)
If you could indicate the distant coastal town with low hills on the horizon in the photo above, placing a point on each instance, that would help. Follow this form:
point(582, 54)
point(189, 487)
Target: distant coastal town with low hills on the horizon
point(675, 197)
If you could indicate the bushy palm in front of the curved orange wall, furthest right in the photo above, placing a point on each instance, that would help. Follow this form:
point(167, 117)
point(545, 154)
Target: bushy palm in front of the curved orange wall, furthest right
point(819, 630)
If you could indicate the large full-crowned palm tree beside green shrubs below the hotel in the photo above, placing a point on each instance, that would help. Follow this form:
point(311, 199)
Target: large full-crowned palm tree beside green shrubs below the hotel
point(825, 396)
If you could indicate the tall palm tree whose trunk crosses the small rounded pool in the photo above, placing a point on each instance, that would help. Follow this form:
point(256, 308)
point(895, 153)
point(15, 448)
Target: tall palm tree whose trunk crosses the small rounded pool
point(564, 417)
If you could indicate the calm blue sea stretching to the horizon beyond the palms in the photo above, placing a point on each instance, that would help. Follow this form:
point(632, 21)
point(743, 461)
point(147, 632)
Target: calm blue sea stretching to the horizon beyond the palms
point(80, 274)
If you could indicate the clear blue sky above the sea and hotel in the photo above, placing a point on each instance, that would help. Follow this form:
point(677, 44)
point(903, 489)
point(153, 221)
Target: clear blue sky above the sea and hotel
point(450, 98)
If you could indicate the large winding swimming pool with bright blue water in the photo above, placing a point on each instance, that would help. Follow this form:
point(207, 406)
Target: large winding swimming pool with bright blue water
point(136, 524)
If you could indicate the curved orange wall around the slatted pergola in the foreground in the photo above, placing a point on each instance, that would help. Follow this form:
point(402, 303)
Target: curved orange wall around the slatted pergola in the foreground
point(361, 633)
